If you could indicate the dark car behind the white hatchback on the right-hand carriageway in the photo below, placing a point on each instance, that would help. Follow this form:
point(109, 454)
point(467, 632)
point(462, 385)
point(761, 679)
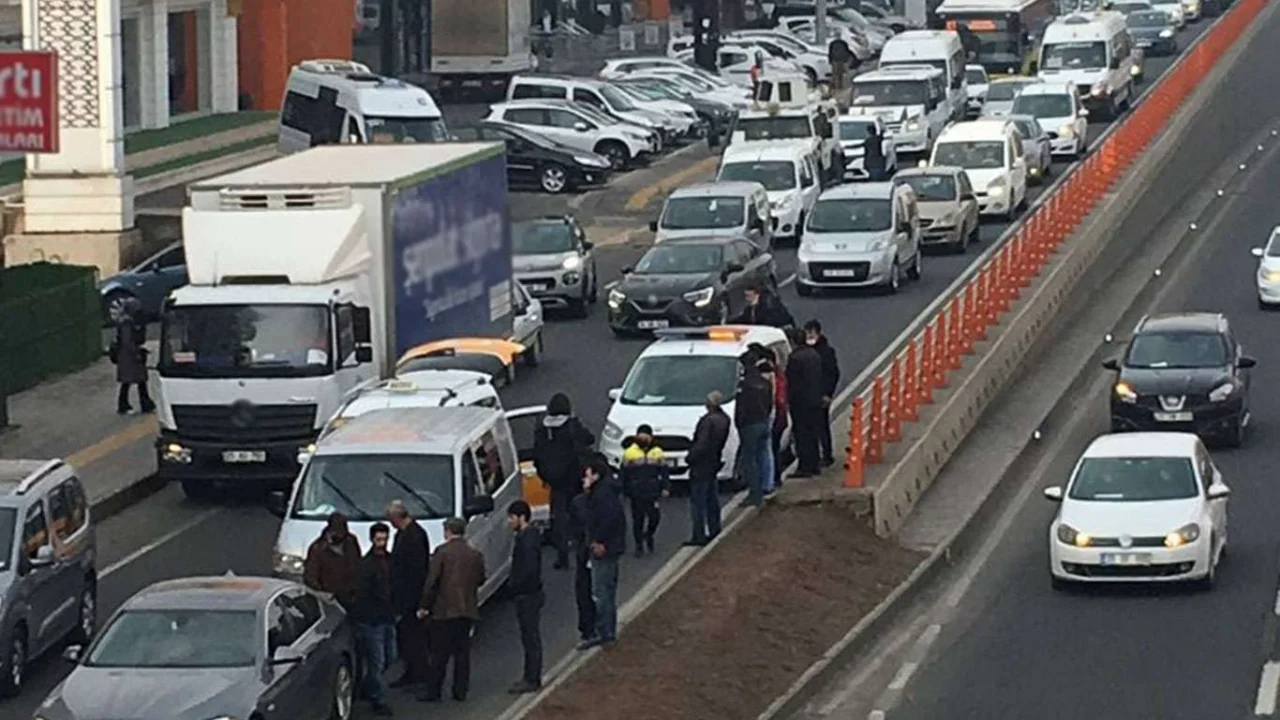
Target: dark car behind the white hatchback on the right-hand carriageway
point(1185, 373)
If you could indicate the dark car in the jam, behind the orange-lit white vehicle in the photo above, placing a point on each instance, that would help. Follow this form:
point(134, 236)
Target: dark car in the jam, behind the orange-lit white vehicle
point(689, 282)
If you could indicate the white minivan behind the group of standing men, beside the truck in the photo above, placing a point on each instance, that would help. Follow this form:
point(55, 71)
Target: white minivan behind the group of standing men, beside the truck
point(440, 462)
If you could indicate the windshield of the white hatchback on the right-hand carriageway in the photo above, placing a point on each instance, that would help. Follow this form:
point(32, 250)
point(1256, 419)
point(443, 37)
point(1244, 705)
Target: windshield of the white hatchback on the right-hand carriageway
point(1135, 480)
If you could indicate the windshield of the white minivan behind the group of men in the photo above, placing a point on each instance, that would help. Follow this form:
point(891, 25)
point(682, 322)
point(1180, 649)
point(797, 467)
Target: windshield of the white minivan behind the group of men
point(360, 486)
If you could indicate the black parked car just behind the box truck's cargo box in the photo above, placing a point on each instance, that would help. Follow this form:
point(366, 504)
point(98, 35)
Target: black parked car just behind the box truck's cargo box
point(534, 161)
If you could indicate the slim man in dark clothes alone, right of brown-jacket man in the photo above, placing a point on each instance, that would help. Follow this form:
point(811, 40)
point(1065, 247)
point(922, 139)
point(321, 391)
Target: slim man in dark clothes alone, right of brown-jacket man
point(527, 591)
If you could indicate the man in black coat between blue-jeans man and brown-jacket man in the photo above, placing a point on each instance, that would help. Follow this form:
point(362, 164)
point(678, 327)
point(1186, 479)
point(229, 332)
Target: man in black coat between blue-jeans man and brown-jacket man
point(412, 558)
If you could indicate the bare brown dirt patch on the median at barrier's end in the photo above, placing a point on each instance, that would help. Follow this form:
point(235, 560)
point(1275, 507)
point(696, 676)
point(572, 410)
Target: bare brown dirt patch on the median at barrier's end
point(744, 625)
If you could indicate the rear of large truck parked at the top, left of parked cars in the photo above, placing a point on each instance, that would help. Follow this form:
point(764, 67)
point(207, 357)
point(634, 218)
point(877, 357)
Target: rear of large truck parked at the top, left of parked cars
point(478, 45)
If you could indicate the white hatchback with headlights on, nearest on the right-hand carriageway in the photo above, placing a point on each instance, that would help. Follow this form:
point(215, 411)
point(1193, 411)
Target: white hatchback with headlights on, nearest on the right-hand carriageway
point(1140, 508)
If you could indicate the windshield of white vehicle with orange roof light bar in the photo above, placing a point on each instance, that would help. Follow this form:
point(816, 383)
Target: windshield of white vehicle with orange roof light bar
point(680, 380)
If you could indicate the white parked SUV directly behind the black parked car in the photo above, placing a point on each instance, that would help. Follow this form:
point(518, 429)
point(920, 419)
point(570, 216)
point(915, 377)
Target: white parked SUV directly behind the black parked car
point(580, 126)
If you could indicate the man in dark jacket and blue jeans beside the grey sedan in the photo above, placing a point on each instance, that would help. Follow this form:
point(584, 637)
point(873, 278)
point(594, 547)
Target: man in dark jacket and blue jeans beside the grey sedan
point(376, 617)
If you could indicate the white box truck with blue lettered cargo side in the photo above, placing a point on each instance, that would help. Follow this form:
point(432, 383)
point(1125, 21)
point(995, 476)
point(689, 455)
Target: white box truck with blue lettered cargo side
point(312, 275)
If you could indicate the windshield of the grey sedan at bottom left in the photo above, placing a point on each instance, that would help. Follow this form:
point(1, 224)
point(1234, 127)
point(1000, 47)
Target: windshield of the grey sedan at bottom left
point(179, 639)
